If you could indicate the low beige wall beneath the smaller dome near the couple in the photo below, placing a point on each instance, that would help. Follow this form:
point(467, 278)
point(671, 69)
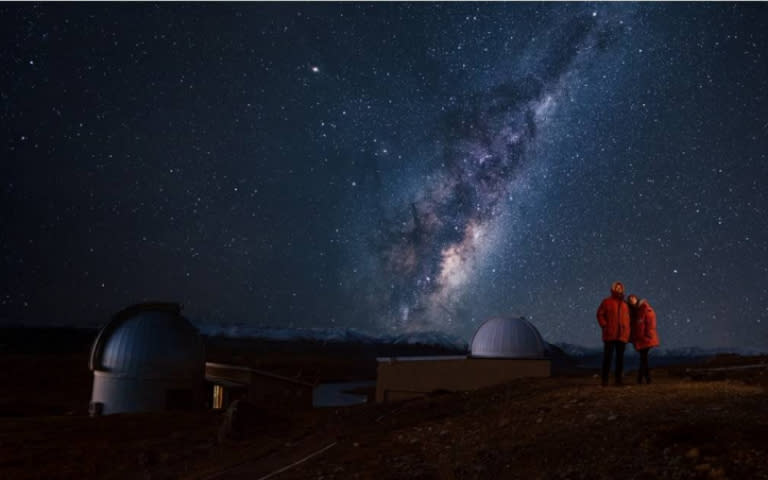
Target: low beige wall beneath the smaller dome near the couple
point(401, 378)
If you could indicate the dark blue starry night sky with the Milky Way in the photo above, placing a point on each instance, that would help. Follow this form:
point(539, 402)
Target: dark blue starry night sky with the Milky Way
point(387, 167)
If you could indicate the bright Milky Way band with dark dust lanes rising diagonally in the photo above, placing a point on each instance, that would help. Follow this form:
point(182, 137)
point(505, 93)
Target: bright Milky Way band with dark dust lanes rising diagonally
point(453, 221)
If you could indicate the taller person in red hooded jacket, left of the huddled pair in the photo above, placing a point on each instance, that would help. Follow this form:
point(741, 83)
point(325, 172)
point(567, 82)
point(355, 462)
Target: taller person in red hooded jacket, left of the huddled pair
point(613, 317)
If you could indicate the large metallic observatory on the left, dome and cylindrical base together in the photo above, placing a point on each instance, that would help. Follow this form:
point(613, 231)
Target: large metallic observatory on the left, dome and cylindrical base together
point(148, 357)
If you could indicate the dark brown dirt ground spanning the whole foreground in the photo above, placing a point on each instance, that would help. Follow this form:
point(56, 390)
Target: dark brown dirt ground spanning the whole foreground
point(687, 424)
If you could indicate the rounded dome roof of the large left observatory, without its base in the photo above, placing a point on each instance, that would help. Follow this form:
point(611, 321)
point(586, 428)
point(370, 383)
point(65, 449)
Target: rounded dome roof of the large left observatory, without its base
point(149, 340)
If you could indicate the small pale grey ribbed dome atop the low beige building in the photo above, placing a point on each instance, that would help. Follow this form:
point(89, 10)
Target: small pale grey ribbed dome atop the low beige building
point(507, 337)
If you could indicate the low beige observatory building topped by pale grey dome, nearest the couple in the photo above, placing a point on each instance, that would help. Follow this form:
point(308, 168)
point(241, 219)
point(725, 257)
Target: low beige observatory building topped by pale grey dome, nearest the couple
point(502, 349)
